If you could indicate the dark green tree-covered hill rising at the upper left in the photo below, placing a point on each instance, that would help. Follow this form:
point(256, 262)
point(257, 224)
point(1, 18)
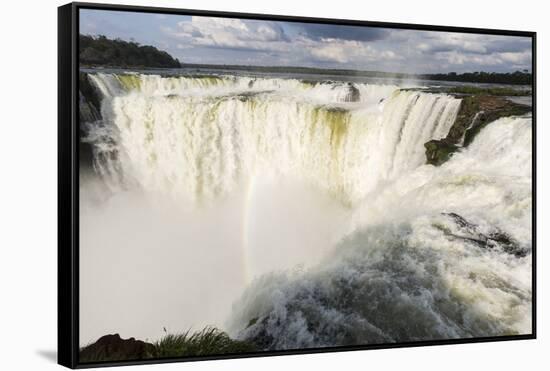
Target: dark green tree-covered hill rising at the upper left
point(101, 51)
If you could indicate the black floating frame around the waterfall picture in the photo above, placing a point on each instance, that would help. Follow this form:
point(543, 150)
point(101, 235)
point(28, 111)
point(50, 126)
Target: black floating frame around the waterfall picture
point(68, 172)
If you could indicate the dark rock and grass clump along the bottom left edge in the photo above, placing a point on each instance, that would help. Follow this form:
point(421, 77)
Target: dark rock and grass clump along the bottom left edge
point(209, 341)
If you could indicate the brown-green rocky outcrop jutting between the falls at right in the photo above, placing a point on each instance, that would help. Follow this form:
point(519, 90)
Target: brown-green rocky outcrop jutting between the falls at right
point(476, 112)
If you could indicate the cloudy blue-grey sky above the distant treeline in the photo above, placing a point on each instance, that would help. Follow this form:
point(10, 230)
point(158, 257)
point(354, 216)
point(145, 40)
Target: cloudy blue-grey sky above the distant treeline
point(212, 40)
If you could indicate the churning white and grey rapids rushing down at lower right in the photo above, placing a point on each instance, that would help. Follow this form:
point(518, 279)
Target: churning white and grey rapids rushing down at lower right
point(411, 269)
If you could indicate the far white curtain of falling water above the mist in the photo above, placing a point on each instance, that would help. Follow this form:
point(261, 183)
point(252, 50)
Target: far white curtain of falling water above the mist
point(198, 137)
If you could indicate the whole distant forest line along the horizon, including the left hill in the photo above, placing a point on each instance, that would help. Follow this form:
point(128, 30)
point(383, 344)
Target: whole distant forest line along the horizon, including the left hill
point(101, 51)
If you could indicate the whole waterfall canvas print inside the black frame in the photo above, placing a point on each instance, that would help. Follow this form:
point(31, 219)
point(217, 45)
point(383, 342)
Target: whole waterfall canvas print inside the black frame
point(250, 186)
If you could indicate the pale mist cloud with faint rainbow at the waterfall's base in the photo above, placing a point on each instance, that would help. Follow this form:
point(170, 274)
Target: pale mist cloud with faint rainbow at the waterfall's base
point(149, 262)
